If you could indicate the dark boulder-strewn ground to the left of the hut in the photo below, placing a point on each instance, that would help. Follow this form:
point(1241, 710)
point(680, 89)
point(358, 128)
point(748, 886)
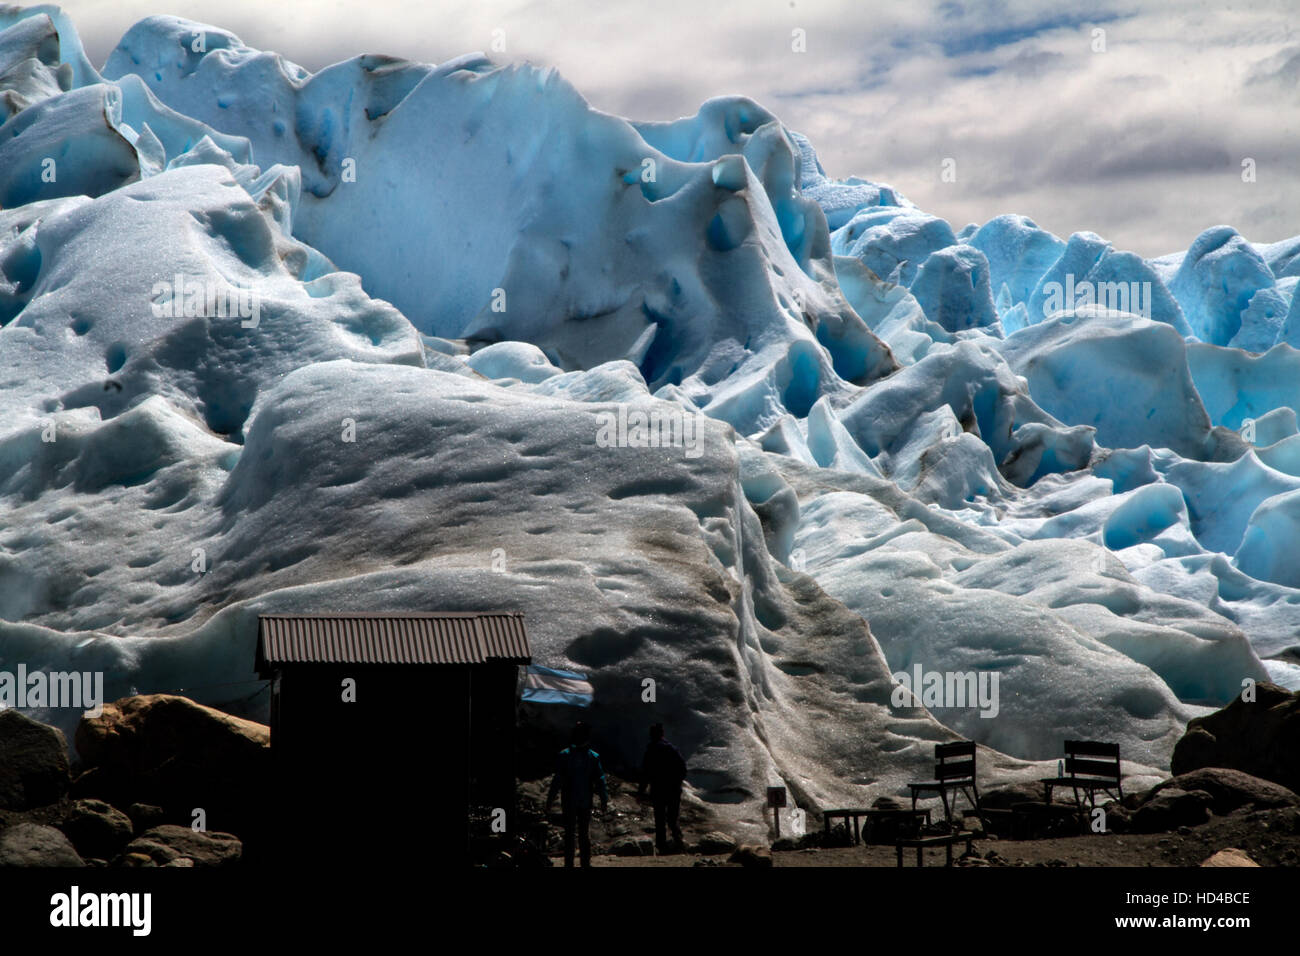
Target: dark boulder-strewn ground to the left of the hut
point(155, 781)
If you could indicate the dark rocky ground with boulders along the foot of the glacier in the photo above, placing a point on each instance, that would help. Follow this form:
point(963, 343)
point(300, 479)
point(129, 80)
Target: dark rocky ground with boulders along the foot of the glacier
point(132, 790)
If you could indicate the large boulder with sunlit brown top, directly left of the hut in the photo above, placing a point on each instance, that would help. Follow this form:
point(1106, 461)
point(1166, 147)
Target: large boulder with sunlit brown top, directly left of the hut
point(180, 756)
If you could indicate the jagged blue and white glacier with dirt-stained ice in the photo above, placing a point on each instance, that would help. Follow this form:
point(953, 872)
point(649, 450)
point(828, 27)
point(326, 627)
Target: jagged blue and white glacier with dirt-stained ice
point(922, 445)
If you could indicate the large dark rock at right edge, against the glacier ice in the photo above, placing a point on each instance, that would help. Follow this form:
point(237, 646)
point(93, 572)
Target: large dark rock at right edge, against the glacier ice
point(1259, 738)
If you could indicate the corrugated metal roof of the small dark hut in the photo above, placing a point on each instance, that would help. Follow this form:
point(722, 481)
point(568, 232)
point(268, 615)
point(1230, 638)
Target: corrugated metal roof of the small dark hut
point(393, 638)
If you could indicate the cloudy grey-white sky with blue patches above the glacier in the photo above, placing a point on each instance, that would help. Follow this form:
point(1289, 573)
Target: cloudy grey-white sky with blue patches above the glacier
point(1132, 119)
